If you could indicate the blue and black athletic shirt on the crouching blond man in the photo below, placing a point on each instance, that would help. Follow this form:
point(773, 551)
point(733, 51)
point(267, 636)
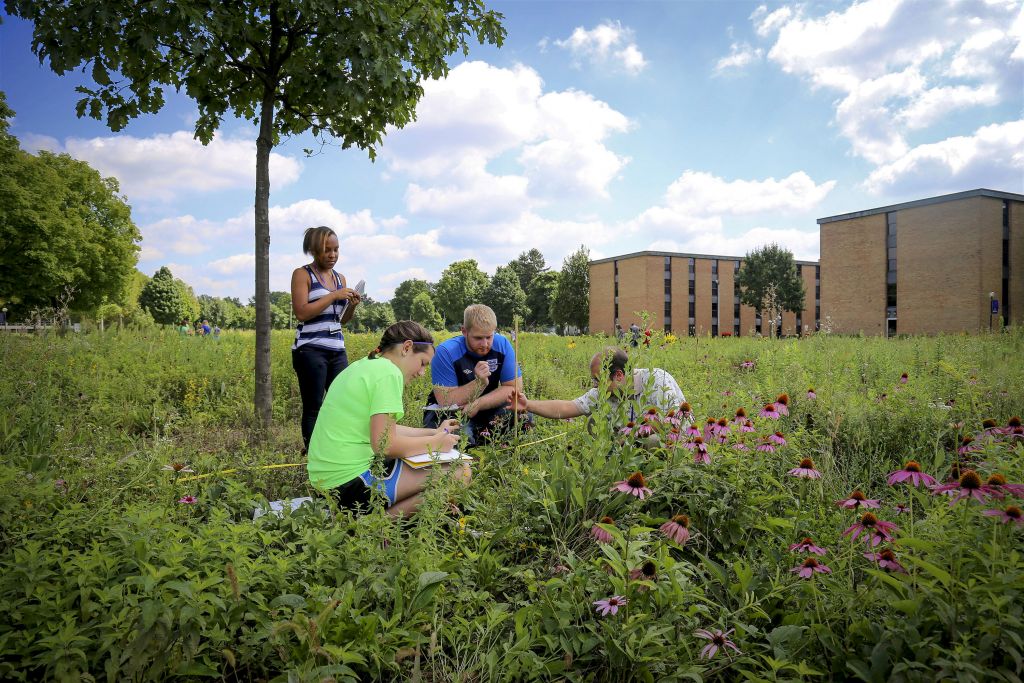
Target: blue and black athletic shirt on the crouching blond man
point(453, 367)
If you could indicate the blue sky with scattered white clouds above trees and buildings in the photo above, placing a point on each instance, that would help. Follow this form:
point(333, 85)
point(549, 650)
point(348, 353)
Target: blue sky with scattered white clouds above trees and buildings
point(707, 127)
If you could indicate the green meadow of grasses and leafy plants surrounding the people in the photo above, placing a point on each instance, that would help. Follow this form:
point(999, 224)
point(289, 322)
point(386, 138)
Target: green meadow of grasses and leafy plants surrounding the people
point(105, 575)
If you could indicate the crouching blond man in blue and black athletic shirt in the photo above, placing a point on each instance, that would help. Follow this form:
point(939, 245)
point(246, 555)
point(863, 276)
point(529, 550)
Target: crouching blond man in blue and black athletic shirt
point(477, 374)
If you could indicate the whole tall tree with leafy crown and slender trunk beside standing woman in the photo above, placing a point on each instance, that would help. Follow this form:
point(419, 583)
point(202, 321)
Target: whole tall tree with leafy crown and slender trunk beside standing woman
point(290, 66)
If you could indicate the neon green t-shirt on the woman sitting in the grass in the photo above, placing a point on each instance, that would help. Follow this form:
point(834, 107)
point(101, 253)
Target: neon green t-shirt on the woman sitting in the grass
point(339, 448)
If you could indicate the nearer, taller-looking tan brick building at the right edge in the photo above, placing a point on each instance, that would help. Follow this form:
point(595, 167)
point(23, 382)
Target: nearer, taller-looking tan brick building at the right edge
point(926, 267)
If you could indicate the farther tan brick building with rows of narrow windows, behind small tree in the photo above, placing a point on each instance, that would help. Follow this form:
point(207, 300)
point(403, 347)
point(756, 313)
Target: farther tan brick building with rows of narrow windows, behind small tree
point(686, 294)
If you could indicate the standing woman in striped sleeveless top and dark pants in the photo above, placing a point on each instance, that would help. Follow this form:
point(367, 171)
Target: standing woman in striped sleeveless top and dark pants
point(322, 304)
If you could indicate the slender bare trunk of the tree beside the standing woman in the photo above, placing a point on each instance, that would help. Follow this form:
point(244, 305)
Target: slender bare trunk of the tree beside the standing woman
point(265, 394)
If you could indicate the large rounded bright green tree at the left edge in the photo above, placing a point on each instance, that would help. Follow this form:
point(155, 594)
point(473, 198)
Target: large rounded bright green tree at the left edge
point(63, 228)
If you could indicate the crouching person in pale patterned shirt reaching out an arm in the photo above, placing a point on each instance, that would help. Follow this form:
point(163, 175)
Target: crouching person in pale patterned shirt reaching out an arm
point(630, 394)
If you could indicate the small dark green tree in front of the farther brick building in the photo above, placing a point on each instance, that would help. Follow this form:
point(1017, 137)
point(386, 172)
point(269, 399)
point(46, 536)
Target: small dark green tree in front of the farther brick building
point(771, 283)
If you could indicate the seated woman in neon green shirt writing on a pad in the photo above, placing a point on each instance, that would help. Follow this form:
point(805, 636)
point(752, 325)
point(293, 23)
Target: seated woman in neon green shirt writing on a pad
point(360, 418)
